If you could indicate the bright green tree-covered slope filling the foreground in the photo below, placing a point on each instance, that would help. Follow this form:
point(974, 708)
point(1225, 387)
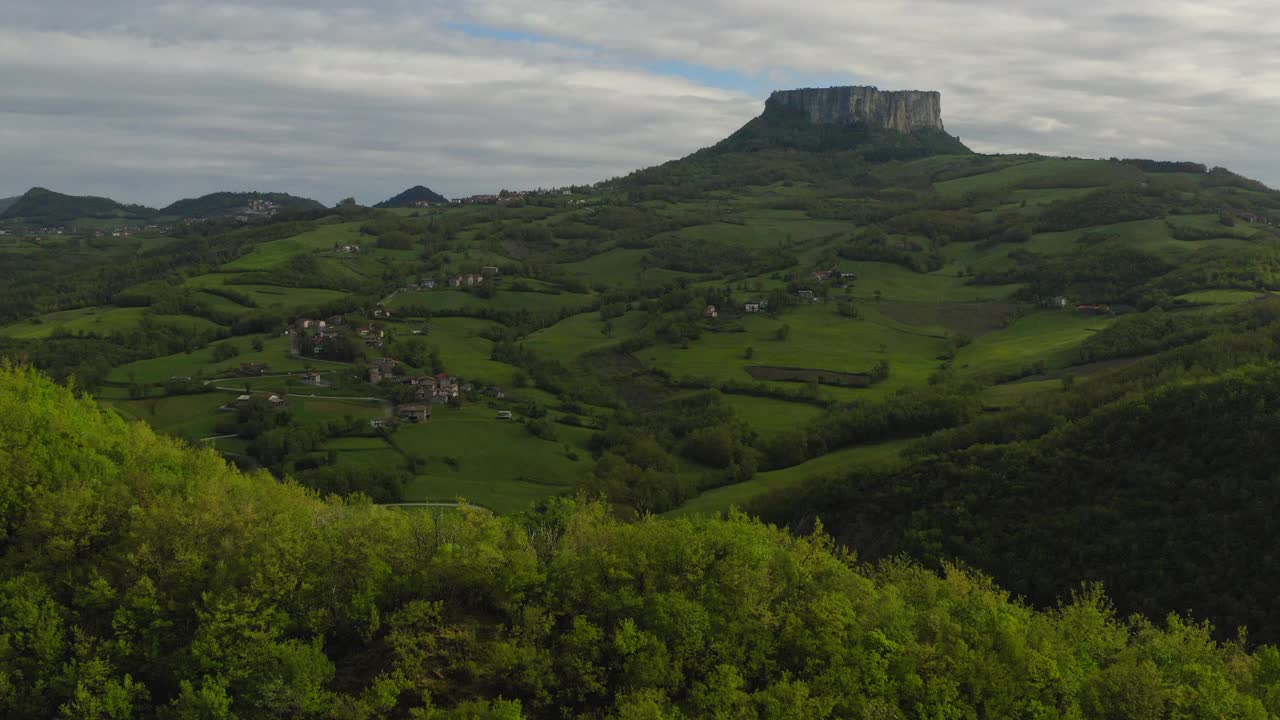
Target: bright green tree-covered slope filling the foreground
point(144, 578)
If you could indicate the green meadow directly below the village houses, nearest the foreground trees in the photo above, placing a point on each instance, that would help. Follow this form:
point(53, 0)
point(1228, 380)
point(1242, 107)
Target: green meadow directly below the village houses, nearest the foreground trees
point(500, 466)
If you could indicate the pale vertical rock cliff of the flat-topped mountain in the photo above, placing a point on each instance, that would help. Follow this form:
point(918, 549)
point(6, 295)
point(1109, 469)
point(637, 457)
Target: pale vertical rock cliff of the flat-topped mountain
point(902, 111)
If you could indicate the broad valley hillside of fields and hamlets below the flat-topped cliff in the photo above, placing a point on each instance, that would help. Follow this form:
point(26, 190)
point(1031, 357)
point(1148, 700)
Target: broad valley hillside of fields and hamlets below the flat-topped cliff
point(808, 322)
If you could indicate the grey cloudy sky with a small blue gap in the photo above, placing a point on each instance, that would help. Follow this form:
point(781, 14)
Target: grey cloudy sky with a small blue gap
point(149, 101)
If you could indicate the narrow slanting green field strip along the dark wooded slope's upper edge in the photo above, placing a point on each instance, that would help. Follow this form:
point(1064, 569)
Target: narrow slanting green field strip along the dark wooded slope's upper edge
point(720, 500)
